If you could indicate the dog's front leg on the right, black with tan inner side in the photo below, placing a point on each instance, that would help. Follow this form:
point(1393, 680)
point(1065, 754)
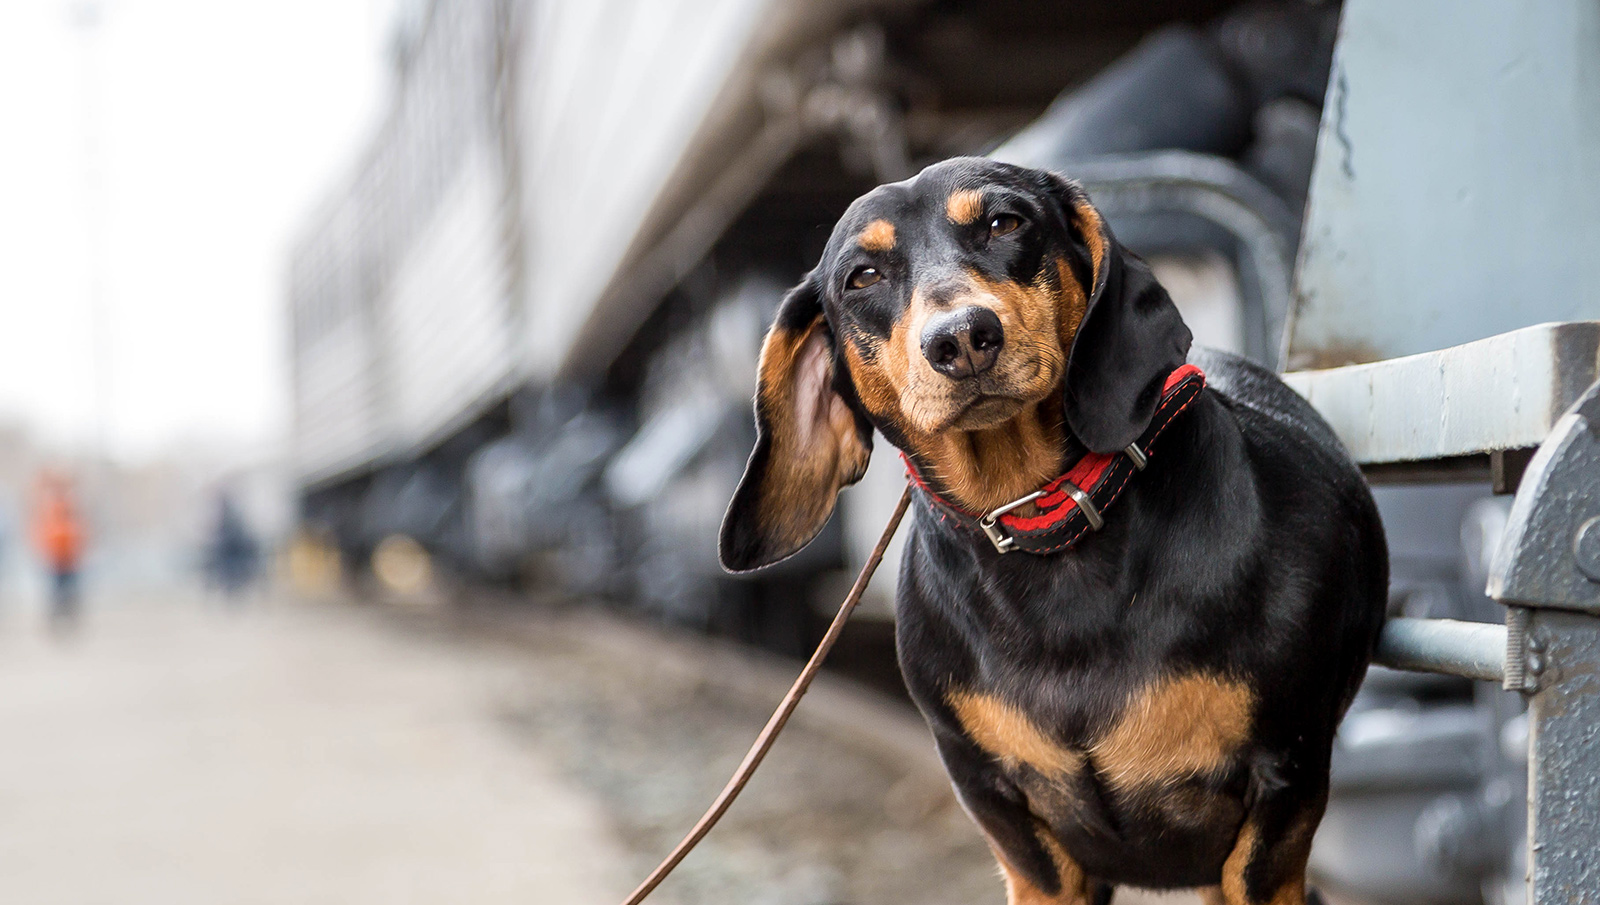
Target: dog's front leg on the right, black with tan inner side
point(1268, 864)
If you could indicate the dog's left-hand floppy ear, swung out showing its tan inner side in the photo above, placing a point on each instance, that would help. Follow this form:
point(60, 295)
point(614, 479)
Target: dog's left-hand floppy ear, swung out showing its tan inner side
point(809, 441)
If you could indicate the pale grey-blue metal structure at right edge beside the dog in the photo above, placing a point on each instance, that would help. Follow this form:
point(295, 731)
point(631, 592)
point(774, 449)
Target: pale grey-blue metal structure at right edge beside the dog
point(1455, 202)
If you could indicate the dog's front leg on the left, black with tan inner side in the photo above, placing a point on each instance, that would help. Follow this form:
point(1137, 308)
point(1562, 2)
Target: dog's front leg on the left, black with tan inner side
point(1038, 871)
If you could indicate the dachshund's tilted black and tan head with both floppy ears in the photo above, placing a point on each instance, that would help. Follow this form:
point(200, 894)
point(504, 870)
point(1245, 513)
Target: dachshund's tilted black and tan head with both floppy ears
point(975, 314)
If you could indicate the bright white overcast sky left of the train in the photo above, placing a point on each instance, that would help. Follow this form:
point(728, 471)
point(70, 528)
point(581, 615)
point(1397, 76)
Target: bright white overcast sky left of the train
point(223, 122)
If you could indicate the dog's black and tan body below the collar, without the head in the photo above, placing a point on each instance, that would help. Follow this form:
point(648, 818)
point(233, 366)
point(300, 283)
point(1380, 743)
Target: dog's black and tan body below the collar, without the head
point(1175, 679)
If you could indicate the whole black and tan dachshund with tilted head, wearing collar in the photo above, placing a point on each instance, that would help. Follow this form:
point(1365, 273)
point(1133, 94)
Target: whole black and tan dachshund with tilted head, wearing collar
point(1138, 597)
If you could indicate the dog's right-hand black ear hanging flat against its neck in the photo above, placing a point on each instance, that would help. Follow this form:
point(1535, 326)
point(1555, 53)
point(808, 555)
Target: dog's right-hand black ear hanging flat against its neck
point(1130, 340)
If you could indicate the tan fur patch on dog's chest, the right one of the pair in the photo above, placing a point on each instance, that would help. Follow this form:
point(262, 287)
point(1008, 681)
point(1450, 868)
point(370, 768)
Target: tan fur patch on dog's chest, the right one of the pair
point(1174, 730)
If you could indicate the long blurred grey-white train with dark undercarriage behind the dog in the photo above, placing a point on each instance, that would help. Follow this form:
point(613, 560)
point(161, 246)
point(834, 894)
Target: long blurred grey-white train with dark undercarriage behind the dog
point(526, 325)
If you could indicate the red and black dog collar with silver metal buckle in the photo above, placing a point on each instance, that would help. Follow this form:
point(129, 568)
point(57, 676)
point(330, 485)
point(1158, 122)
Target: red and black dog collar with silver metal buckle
point(1073, 504)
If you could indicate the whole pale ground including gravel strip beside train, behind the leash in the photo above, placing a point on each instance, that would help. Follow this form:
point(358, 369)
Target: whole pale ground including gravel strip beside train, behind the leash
point(340, 752)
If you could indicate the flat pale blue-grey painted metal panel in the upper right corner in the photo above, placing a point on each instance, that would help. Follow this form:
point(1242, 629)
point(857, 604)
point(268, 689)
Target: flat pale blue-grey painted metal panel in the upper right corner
point(1457, 189)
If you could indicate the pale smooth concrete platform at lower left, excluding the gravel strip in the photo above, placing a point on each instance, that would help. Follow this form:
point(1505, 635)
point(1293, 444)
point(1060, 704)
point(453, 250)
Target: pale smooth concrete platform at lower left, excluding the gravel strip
point(175, 755)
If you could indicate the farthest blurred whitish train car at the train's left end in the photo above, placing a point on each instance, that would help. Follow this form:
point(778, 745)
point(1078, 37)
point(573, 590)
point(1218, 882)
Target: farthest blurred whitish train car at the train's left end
point(406, 289)
